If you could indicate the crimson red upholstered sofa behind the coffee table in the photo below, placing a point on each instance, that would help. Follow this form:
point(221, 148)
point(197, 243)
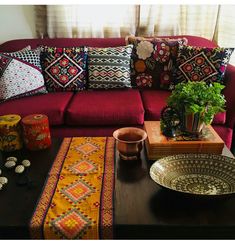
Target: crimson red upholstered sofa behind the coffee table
point(99, 113)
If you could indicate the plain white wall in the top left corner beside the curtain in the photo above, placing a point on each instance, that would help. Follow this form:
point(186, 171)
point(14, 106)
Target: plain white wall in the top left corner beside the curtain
point(16, 22)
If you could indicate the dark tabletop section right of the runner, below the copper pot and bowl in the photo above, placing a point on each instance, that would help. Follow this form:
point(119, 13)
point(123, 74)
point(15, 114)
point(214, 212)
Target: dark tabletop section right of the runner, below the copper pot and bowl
point(144, 210)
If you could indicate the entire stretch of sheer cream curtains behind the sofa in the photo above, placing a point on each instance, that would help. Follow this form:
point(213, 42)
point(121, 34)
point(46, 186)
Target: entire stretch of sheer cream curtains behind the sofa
point(214, 22)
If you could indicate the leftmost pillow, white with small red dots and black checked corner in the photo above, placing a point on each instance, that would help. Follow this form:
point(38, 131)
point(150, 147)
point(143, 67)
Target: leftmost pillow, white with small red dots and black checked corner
point(20, 74)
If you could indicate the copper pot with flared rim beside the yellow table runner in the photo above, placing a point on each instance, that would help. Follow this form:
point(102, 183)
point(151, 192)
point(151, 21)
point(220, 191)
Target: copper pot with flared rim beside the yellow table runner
point(129, 142)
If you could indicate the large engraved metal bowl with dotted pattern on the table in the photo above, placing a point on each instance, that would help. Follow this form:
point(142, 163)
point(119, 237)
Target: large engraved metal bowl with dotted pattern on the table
point(200, 174)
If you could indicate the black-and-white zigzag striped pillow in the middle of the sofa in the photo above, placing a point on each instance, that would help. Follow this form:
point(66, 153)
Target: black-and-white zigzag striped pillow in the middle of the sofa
point(109, 67)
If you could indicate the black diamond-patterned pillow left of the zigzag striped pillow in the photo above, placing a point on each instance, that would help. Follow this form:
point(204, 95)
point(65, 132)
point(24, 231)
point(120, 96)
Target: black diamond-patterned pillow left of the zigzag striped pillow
point(64, 69)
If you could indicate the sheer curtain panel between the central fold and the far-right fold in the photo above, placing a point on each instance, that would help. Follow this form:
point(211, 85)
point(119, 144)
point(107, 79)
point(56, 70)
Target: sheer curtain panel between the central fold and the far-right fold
point(197, 20)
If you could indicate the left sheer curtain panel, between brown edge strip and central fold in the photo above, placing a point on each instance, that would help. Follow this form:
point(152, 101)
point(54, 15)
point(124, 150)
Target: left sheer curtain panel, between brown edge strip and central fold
point(91, 21)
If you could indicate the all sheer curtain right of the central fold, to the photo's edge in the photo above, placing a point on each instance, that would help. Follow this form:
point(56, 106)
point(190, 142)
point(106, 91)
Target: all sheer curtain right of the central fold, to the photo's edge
point(214, 22)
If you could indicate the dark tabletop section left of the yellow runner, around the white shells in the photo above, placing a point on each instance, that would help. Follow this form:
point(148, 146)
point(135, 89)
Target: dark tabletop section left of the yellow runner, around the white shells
point(17, 202)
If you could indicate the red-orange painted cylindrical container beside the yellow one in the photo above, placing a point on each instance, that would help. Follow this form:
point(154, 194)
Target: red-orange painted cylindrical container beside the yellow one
point(36, 132)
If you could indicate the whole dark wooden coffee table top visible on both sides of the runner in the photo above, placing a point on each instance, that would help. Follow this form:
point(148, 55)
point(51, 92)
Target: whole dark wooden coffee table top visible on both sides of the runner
point(142, 208)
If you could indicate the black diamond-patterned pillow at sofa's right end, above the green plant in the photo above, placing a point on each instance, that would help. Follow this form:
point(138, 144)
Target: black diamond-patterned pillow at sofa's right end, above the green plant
point(201, 63)
